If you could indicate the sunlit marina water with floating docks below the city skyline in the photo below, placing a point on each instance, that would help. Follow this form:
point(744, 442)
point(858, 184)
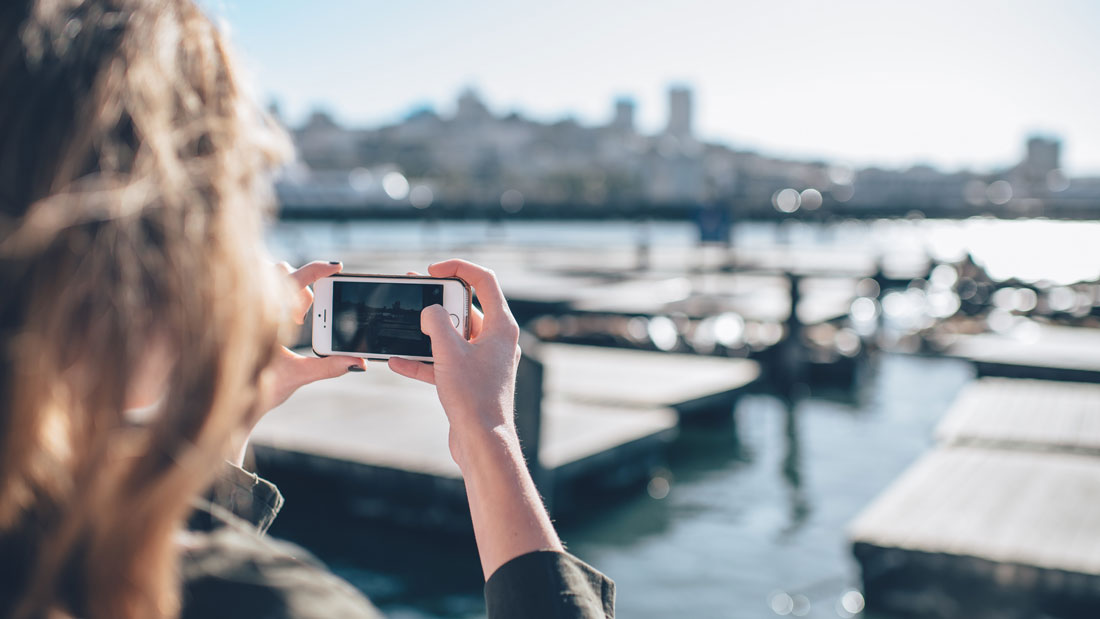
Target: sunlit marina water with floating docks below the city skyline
point(676, 385)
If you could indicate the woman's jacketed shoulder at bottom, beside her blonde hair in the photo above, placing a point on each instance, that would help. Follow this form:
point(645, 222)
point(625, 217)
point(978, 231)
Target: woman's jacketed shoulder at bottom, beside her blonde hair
point(233, 571)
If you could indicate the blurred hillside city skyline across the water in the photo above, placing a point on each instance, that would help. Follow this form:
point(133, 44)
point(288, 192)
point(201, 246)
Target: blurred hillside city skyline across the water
point(480, 160)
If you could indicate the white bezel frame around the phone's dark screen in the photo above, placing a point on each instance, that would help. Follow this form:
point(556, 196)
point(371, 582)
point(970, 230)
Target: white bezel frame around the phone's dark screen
point(323, 309)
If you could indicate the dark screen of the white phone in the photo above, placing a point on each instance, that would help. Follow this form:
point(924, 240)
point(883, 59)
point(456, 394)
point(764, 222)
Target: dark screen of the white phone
point(371, 317)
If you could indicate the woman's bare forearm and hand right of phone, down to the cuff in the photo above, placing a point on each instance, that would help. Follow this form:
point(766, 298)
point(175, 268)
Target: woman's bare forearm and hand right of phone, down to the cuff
point(476, 382)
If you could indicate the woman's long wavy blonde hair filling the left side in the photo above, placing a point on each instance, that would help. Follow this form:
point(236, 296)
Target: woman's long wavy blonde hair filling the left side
point(131, 173)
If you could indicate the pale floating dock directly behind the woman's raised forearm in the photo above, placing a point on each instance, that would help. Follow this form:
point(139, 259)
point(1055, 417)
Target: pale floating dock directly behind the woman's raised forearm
point(382, 441)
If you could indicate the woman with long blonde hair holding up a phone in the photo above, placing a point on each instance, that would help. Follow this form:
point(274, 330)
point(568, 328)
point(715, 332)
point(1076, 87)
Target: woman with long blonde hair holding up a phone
point(131, 263)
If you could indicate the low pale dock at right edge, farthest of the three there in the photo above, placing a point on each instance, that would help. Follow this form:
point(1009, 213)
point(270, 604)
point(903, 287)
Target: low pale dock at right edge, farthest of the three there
point(1039, 351)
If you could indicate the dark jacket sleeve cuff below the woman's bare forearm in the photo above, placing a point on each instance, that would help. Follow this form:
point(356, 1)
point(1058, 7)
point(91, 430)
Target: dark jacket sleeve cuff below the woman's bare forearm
point(548, 584)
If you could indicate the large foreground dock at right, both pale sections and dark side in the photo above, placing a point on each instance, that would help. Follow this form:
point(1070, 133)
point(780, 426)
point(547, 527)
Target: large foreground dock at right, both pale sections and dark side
point(1003, 518)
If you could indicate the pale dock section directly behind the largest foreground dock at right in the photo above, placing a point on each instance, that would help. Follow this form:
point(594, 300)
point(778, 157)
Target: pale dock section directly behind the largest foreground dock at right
point(1024, 414)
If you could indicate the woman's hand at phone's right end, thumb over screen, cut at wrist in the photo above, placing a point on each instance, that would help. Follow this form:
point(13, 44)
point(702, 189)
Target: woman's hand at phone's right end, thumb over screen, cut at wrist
point(476, 380)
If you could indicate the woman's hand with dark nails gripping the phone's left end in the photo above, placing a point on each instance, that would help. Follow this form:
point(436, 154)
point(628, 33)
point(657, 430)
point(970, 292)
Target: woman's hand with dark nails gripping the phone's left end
point(291, 371)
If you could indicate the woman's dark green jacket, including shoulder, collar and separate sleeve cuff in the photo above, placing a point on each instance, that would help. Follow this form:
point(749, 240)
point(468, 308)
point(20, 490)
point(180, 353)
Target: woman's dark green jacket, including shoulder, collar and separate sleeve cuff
point(232, 569)
